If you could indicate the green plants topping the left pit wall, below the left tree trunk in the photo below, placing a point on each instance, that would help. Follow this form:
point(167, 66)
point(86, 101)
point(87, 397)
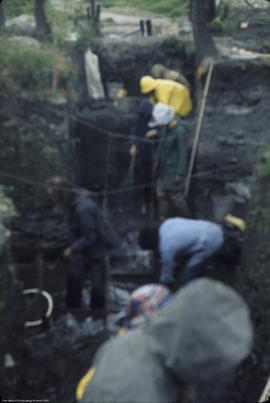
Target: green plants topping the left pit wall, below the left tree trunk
point(31, 69)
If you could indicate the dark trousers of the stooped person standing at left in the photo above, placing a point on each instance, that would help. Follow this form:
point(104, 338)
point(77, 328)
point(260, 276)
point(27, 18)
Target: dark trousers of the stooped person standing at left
point(78, 269)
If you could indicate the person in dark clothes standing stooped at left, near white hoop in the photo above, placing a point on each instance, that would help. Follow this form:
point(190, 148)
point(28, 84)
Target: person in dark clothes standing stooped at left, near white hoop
point(91, 237)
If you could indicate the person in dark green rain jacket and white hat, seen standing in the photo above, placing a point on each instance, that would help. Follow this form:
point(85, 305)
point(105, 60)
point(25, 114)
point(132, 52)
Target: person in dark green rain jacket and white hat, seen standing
point(171, 161)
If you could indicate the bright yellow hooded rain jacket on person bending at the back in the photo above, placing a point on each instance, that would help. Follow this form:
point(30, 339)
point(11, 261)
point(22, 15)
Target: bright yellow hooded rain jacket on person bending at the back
point(168, 92)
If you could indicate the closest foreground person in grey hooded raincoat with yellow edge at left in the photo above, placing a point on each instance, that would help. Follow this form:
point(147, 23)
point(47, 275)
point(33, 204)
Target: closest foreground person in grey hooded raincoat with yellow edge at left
point(197, 339)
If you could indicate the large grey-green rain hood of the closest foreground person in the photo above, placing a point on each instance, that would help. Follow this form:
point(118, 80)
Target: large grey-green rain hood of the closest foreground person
point(204, 333)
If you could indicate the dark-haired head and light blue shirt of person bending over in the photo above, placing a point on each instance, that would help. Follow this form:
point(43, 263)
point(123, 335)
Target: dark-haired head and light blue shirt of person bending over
point(183, 246)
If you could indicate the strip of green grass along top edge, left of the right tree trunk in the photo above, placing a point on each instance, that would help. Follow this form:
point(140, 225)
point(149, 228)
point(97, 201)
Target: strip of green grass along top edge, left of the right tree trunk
point(171, 8)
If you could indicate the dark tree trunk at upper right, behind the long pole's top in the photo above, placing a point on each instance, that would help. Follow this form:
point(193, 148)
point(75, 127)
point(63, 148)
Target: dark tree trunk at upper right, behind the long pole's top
point(201, 13)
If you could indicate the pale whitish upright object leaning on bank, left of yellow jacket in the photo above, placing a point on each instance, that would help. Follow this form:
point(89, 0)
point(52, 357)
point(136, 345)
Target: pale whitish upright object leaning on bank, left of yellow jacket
point(94, 84)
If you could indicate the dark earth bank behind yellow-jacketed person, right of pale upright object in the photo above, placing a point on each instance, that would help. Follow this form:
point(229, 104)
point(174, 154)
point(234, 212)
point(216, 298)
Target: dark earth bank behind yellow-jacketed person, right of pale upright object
point(127, 61)
